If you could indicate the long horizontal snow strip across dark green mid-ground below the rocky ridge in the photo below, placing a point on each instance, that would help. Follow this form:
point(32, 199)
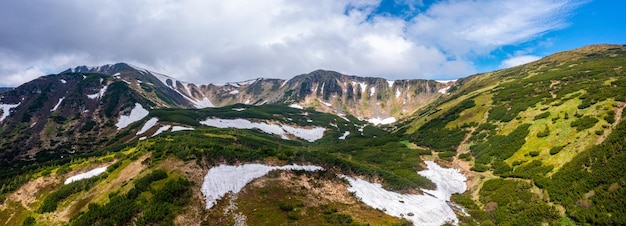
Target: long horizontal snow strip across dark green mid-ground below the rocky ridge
point(310, 135)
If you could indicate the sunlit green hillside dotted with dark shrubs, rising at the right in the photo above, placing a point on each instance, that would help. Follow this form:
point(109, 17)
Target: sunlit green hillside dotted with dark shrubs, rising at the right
point(557, 123)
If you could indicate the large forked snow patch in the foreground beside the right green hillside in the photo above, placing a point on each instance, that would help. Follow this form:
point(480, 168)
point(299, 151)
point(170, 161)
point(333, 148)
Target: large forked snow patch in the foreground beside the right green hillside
point(429, 209)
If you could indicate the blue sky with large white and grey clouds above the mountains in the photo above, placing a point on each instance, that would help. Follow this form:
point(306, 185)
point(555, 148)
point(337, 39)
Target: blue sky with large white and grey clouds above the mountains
point(216, 41)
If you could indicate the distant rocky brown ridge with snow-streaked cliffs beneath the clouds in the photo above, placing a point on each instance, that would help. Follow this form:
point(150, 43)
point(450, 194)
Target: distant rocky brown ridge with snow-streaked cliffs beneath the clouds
point(325, 91)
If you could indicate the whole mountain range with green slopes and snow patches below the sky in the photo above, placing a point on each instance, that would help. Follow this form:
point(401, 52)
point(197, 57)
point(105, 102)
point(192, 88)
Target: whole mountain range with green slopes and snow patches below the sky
point(540, 143)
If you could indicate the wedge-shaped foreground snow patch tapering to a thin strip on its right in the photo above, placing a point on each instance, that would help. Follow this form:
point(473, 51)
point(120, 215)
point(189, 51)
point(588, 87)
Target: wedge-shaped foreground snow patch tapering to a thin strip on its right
point(225, 178)
